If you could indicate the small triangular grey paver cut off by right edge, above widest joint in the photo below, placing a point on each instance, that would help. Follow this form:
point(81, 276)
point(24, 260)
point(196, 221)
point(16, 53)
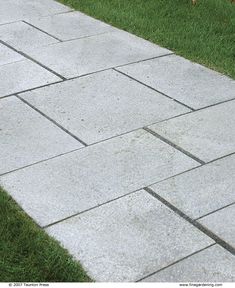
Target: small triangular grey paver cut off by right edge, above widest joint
point(221, 223)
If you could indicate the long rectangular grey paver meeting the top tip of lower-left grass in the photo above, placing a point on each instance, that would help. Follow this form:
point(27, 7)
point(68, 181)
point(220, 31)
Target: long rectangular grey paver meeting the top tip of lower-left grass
point(75, 182)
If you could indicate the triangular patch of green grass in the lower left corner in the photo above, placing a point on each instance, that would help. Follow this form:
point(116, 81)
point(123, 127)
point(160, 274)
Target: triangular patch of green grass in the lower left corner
point(28, 254)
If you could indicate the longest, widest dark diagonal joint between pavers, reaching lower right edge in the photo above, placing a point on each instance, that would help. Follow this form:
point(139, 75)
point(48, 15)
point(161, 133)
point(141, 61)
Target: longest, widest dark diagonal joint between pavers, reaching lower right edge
point(203, 229)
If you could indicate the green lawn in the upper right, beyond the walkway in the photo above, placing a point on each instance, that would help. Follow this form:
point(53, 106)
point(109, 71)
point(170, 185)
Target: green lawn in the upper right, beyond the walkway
point(204, 33)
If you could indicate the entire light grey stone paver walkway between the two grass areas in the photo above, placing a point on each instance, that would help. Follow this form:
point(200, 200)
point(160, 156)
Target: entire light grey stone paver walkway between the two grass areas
point(118, 148)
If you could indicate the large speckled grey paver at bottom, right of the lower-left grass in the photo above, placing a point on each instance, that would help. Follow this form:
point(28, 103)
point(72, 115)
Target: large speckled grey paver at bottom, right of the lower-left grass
point(129, 238)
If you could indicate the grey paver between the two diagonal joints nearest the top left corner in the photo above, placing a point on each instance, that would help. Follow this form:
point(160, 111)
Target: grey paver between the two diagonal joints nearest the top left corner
point(23, 36)
